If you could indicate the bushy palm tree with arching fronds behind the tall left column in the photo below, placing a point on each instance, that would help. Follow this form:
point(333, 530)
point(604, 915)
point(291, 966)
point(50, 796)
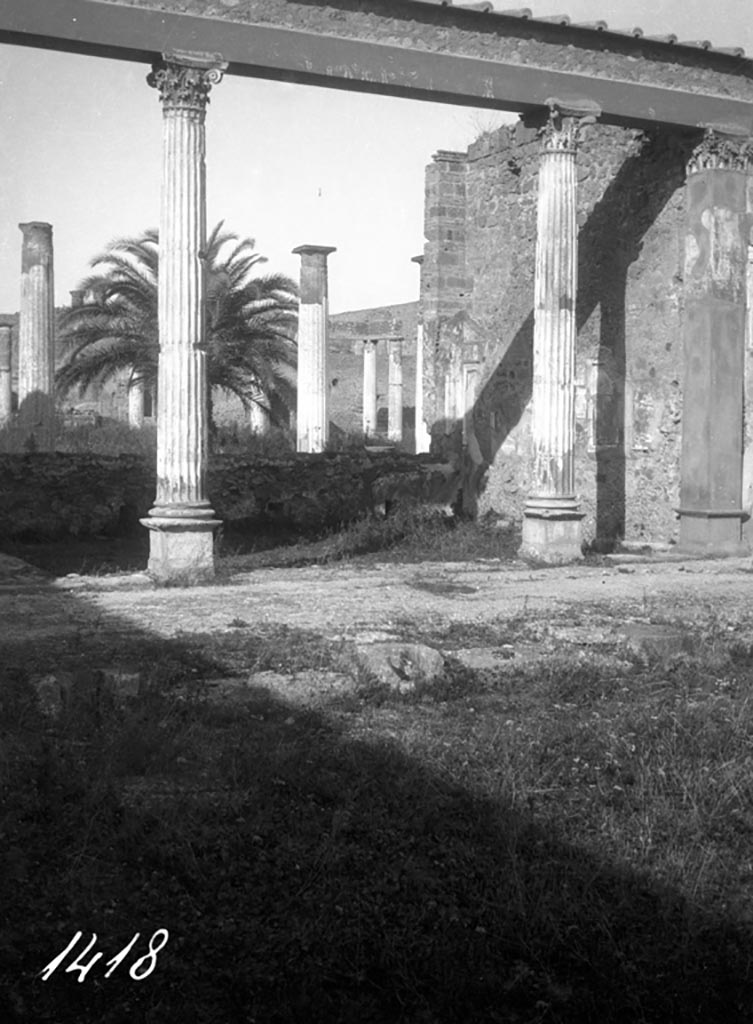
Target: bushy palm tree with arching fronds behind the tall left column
point(252, 323)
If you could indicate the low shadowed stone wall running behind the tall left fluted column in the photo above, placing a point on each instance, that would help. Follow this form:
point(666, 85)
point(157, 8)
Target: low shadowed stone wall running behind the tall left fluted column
point(48, 497)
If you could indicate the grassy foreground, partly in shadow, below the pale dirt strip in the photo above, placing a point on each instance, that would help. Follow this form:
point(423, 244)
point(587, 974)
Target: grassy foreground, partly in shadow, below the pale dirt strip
point(564, 840)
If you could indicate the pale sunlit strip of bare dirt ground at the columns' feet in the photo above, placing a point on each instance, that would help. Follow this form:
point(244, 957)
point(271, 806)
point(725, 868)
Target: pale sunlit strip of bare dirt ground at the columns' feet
point(352, 599)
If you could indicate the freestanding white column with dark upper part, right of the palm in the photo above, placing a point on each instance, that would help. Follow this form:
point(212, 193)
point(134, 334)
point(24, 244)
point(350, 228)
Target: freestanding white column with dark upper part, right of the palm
point(313, 388)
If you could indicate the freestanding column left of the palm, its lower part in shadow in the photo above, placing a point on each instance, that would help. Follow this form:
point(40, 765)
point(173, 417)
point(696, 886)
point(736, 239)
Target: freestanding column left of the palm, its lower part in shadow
point(36, 338)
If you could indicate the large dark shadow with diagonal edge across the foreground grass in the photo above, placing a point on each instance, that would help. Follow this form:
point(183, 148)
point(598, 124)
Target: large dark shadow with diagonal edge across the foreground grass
point(305, 872)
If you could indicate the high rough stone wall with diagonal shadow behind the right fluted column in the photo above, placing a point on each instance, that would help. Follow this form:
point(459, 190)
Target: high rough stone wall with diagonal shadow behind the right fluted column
point(630, 357)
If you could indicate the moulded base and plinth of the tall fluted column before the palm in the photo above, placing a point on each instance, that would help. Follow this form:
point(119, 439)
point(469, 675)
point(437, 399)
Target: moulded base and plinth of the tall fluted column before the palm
point(182, 545)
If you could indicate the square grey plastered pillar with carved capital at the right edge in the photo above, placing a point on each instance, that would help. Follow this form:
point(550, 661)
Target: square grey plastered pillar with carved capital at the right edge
point(716, 286)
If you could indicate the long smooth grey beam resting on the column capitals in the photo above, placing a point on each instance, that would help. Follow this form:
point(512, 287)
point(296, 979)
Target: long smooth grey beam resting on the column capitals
point(264, 52)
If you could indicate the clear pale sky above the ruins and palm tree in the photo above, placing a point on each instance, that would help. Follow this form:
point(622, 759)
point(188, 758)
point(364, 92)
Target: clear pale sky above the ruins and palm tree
point(286, 164)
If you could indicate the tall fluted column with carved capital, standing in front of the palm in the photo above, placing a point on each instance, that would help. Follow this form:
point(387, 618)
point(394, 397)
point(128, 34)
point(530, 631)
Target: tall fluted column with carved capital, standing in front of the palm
point(182, 522)
